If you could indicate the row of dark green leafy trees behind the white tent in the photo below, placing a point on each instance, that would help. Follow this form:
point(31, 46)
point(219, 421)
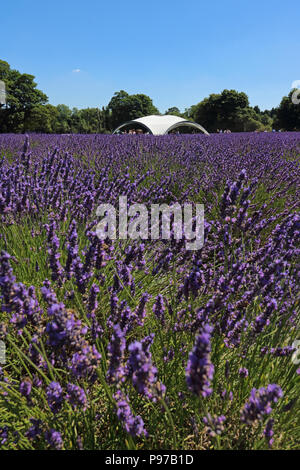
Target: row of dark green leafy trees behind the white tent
point(26, 109)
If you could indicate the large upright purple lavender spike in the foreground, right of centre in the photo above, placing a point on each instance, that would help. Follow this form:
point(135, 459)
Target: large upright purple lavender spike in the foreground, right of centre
point(199, 371)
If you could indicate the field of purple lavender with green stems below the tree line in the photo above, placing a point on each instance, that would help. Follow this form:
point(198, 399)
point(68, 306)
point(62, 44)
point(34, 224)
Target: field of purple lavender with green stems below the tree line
point(130, 344)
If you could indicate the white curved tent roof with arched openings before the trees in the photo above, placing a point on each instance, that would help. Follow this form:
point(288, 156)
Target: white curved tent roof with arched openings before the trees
point(159, 125)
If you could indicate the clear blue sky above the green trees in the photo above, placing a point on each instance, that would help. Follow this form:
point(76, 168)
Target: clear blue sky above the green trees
point(177, 52)
